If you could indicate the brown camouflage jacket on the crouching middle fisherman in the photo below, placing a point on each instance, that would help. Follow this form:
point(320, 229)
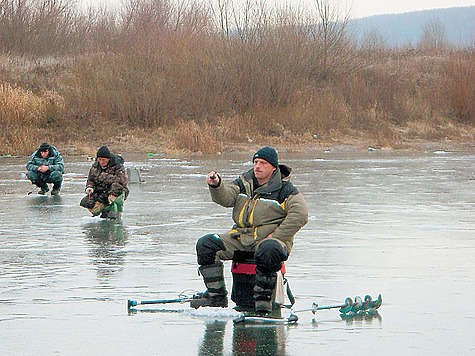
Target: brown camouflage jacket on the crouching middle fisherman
point(107, 180)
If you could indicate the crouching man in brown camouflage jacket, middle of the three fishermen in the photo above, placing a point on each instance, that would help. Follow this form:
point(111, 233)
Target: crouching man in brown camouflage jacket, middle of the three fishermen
point(106, 185)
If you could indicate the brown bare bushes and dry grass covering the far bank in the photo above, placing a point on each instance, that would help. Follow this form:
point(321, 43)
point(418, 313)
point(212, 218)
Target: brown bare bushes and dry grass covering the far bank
point(159, 77)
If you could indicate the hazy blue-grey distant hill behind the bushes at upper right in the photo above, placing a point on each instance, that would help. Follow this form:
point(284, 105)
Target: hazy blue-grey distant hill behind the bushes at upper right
point(407, 28)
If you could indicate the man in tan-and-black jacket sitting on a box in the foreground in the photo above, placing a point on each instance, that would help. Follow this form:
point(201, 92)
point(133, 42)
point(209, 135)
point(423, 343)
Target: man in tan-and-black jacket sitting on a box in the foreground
point(267, 212)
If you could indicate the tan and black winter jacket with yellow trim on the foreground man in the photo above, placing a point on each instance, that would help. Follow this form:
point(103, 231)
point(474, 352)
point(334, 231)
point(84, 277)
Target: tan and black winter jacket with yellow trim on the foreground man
point(276, 207)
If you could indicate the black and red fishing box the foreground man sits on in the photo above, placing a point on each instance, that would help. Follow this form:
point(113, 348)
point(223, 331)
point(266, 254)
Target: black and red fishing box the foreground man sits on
point(243, 269)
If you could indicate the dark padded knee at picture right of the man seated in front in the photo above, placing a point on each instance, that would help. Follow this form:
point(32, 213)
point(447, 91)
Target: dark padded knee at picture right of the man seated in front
point(270, 254)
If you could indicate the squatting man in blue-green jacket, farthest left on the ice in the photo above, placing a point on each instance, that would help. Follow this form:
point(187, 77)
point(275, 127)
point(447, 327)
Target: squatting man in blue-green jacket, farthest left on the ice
point(46, 166)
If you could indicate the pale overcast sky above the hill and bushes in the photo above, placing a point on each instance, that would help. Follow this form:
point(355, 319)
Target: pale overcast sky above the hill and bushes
point(359, 8)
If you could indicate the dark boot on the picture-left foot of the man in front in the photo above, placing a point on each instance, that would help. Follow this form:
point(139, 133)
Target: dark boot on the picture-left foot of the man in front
point(216, 294)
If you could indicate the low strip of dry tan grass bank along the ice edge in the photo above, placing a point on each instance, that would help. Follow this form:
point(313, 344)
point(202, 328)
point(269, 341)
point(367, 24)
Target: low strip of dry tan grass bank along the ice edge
point(161, 143)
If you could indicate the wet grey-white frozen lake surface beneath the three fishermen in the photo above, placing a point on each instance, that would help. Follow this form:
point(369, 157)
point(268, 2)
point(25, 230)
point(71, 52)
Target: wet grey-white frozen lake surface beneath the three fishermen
point(396, 223)
